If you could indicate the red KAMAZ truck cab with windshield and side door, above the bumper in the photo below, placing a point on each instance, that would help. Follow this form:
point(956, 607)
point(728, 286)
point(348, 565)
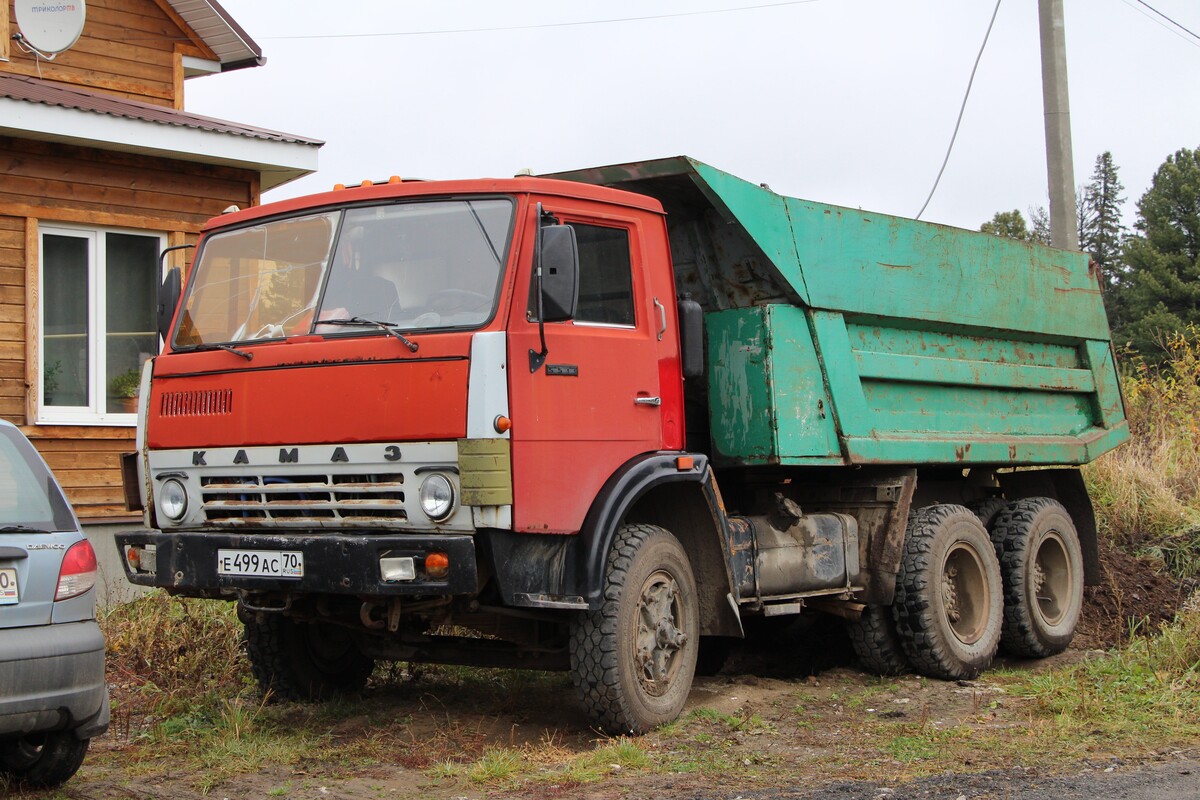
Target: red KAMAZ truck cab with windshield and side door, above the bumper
point(266, 360)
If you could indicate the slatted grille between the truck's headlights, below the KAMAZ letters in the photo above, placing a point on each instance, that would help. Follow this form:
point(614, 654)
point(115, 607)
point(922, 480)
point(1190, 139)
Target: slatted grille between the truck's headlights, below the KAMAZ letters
point(311, 500)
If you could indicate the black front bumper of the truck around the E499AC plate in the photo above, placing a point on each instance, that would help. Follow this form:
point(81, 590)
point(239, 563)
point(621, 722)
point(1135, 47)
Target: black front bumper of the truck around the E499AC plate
point(334, 563)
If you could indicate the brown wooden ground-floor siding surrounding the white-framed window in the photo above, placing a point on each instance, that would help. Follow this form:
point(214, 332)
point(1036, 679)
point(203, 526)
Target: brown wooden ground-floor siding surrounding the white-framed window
point(47, 183)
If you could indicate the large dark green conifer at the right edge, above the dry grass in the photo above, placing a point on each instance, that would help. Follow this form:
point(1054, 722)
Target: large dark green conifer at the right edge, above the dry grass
point(1161, 287)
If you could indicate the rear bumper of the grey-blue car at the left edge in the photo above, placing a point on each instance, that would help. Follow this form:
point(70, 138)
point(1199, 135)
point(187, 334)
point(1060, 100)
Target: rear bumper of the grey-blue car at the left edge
point(53, 679)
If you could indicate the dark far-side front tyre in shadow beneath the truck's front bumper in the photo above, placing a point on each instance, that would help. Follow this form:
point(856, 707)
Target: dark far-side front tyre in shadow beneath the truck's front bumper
point(304, 661)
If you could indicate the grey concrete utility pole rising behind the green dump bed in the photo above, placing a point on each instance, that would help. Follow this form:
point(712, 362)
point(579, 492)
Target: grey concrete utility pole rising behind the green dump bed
point(1060, 170)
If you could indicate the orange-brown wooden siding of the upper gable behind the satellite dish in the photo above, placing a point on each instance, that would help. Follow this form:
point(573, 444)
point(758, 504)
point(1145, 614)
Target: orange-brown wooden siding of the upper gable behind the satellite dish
point(128, 49)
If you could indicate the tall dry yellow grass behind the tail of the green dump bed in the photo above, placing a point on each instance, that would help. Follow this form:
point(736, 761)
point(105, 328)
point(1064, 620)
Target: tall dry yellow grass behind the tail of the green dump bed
point(1148, 492)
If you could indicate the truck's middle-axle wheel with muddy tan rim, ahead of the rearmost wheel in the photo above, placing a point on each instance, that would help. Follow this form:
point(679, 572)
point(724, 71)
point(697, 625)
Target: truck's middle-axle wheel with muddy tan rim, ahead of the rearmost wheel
point(949, 600)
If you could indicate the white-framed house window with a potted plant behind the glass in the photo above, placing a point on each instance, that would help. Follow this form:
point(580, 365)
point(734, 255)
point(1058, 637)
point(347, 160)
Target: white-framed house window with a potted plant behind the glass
point(98, 322)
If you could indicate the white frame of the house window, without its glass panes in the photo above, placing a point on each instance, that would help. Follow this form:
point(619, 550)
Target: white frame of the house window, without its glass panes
point(98, 297)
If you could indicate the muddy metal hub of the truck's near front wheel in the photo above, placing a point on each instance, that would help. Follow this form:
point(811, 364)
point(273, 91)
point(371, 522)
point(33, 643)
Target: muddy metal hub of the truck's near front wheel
point(661, 640)
